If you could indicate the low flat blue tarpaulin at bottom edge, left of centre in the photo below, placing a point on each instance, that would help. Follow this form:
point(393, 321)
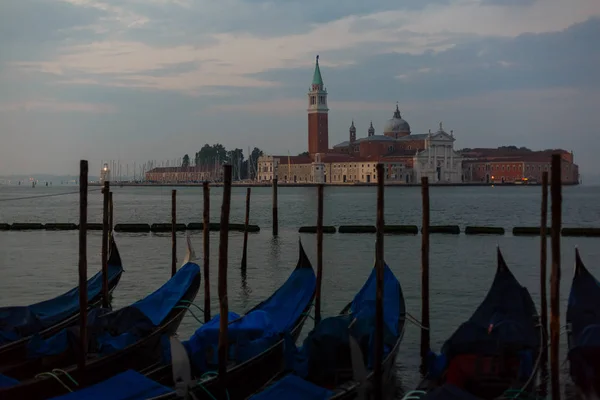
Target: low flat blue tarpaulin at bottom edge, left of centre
point(128, 385)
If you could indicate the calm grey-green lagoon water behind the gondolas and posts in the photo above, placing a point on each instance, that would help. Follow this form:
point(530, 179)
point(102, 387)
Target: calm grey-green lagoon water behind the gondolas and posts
point(37, 265)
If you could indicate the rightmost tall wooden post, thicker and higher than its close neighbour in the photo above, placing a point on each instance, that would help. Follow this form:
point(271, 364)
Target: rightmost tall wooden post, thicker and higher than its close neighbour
point(555, 189)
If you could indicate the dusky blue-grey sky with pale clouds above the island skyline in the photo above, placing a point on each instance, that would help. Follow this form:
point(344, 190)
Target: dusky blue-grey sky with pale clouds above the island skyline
point(138, 80)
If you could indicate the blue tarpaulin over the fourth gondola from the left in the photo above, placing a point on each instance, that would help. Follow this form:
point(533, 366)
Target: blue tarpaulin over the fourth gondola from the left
point(327, 347)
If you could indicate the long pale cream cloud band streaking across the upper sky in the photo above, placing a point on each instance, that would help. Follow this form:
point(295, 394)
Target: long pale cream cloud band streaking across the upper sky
point(231, 59)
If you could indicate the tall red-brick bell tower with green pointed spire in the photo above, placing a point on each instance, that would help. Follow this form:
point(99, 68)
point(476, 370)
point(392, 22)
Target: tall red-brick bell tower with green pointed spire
point(318, 128)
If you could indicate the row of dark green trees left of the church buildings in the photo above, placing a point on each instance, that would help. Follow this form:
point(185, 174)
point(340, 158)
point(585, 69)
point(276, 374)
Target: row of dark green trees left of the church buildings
point(217, 154)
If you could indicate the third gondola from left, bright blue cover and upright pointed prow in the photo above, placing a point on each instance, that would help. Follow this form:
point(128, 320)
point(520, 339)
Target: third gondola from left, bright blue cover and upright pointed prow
point(257, 342)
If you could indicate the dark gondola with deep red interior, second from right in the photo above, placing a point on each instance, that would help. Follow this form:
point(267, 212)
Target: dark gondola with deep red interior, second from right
point(496, 352)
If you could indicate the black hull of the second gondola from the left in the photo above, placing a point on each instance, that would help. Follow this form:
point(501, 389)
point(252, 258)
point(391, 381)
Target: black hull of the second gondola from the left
point(137, 356)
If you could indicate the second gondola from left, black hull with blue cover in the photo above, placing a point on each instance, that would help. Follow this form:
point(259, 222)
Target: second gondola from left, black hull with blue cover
point(129, 338)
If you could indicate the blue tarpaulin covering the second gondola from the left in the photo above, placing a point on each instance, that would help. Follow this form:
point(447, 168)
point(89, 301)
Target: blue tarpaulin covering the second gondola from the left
point(112, 331)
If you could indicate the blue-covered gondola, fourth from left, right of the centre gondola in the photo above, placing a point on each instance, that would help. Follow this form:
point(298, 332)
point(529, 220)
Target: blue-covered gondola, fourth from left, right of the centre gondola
point(335, 360)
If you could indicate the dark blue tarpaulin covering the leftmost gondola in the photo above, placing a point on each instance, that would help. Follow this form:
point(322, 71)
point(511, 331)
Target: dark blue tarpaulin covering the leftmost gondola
point(23, 321)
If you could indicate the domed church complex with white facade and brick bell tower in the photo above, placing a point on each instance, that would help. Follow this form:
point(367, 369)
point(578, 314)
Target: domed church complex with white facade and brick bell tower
point(406, 156)
